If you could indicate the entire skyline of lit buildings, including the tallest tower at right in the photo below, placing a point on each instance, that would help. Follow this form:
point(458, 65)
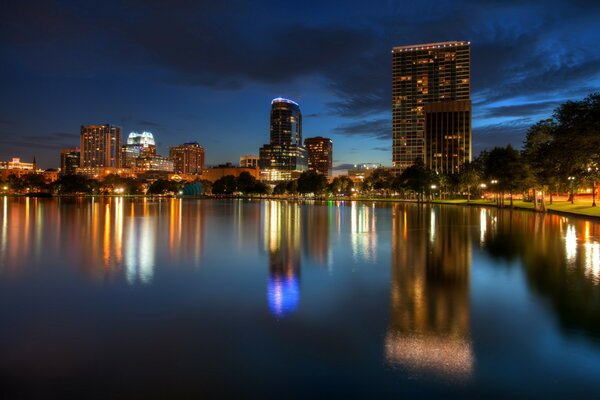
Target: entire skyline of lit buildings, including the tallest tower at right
point(431, 121)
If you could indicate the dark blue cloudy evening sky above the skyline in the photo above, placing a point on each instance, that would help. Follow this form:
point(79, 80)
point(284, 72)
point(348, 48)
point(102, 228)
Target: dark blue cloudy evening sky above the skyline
point(207, 70)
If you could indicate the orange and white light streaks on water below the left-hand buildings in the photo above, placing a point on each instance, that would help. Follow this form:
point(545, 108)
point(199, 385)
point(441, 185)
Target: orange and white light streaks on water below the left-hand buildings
point(105, 238)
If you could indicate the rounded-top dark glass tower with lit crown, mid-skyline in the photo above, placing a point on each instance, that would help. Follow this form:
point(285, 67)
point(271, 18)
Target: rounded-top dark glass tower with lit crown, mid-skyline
point(284, 158)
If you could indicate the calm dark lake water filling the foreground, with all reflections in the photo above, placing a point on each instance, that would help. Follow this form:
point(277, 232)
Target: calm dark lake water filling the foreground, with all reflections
point(122, 298)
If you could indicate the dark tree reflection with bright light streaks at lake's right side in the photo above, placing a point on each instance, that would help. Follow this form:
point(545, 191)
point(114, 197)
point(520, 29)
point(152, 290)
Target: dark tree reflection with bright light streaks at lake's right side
point(561, 259)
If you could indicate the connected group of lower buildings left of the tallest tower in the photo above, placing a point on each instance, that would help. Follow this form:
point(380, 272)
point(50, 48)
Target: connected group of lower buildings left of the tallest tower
point(285, 157)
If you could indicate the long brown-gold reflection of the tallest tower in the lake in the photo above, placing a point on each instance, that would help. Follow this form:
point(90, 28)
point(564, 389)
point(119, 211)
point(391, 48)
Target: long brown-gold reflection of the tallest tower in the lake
point(429, 328)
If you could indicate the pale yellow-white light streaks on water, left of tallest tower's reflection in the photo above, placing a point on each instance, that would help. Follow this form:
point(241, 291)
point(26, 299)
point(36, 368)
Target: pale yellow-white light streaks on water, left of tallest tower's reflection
point(363, 231)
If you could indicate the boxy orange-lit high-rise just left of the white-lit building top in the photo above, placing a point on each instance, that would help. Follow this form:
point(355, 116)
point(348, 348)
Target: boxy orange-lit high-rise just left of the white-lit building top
point(100, 146)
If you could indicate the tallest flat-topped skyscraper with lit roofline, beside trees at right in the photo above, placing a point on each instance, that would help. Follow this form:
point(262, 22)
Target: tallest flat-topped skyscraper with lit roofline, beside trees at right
point(431, 78)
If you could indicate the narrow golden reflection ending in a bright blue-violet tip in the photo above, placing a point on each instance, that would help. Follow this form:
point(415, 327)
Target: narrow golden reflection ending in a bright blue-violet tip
point(282, 244)
